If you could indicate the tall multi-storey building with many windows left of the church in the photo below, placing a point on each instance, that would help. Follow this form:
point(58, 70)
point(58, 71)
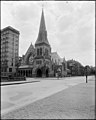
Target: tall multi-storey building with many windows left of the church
point(9, 50)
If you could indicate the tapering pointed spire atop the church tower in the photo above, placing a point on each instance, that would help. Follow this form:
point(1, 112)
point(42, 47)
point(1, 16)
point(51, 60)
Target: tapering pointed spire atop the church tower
point(42, 36)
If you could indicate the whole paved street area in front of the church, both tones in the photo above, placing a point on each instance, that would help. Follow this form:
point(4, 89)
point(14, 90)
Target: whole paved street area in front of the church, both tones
point(77, 101)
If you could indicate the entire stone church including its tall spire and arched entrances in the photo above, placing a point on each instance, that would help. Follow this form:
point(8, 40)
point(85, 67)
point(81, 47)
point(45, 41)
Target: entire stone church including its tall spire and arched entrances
point(39, 61)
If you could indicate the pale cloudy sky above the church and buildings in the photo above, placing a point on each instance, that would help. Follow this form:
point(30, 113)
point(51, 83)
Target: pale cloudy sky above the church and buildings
point(70, 26)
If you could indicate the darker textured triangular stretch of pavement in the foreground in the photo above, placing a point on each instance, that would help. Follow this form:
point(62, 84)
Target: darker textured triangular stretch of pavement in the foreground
point(75, 102)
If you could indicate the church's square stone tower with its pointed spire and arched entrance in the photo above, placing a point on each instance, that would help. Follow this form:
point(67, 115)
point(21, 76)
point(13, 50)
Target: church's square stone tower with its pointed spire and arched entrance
point(43, 51)
